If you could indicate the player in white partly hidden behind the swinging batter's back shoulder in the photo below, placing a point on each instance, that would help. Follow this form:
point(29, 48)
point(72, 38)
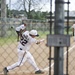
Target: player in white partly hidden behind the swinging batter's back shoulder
point(19, 30)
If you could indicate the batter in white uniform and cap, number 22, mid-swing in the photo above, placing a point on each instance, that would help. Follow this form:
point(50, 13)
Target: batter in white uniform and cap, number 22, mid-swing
point(28, 38)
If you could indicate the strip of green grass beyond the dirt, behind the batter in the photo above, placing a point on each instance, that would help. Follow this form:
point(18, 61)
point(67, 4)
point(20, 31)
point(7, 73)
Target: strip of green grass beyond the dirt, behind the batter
point(11, 37)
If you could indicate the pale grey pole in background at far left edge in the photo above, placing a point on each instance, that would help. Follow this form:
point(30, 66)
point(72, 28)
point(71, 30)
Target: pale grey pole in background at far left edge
point(3, 18)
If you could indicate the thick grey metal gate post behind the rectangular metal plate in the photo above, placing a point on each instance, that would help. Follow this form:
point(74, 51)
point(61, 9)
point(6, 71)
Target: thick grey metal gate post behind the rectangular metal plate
point(58, 29)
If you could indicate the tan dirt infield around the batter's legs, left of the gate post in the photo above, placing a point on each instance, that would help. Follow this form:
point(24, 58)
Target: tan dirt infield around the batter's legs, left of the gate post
point(9, 56)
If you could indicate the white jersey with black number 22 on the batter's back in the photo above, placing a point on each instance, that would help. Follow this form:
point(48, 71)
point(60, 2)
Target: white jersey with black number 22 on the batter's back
point(27, 41)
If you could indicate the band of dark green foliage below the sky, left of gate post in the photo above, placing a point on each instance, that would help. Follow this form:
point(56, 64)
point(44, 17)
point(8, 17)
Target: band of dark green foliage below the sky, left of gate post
point(31, 15)
